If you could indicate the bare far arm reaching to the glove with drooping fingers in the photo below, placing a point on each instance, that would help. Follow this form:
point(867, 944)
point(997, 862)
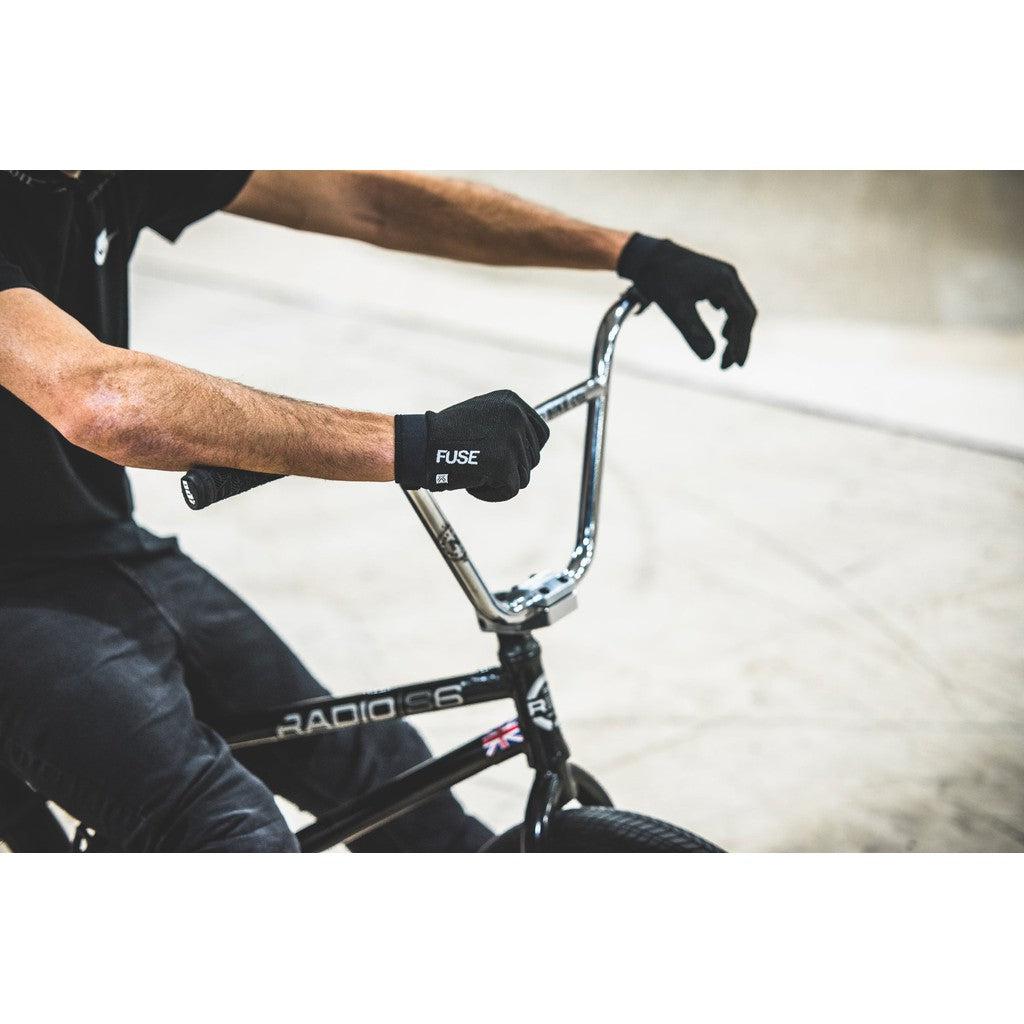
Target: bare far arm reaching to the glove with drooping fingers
point(435, 217)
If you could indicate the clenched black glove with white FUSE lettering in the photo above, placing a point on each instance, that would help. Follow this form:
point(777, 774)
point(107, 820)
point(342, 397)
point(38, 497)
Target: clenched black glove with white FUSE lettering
point(487, 446)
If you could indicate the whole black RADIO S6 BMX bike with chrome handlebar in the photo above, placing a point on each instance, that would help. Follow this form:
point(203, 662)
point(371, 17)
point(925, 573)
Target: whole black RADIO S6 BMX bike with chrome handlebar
point(514, 616)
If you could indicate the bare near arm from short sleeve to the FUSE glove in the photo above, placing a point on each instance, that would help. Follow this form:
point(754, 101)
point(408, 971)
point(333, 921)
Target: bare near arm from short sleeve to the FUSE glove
point(139, 410)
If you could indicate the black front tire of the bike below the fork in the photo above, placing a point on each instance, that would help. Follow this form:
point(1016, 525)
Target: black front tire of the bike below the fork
point(607, 830)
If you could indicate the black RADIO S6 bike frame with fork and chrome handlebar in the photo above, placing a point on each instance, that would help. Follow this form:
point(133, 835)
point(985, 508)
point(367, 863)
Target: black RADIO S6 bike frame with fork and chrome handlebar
point(514, 615)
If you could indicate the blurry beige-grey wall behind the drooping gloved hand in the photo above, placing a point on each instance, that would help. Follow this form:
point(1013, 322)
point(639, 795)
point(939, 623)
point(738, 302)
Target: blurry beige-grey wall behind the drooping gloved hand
point(922, 247)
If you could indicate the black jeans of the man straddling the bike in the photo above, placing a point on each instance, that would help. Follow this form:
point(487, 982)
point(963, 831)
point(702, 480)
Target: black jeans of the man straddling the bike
point(110, 673)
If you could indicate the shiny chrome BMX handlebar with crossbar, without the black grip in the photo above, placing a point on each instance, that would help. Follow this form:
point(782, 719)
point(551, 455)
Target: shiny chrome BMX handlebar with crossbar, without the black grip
point(542, 601)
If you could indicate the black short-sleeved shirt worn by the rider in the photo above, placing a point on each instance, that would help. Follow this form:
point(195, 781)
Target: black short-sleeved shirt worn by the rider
point(71, 240)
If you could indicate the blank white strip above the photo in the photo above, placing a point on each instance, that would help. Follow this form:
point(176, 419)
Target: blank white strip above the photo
point(525, 86)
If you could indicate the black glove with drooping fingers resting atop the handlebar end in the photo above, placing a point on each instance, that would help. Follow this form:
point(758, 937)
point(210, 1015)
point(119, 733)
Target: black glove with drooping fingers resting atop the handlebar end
point(677, 279)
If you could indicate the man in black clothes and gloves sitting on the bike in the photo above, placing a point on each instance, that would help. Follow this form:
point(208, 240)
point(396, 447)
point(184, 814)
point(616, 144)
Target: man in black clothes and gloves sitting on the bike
point(116, 650)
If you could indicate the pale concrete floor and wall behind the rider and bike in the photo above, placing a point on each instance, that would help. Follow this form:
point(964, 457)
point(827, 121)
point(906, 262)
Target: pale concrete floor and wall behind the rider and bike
point(803, 629)
